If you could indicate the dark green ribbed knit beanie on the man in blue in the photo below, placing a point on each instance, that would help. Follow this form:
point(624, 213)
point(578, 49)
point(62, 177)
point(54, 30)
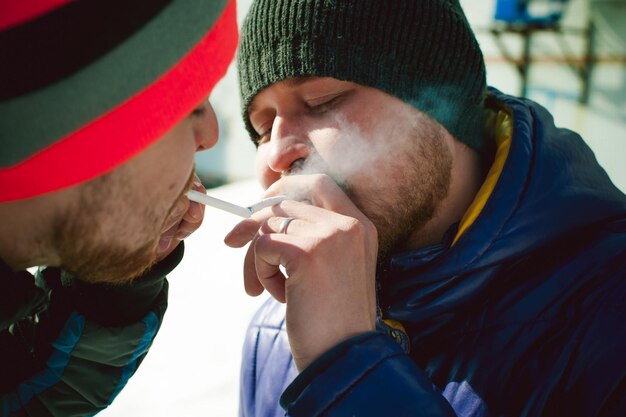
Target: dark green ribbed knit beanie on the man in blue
point(421, 51)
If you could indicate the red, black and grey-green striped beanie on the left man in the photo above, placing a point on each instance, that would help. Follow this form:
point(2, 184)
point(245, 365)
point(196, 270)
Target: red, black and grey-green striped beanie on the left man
point(85, 85)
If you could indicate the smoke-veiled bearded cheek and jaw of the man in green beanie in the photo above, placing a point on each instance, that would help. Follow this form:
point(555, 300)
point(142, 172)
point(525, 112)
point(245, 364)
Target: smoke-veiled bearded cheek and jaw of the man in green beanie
point(395, 167)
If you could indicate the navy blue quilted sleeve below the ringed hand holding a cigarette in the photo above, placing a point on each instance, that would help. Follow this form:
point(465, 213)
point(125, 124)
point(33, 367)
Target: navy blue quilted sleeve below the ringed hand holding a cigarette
point(370, 376)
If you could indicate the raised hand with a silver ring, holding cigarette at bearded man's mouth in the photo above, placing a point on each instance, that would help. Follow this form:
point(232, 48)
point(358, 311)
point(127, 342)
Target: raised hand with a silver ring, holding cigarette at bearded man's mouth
point(328, 249)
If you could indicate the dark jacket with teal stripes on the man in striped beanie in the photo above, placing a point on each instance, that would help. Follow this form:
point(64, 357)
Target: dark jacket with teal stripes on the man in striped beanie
point(82, 349)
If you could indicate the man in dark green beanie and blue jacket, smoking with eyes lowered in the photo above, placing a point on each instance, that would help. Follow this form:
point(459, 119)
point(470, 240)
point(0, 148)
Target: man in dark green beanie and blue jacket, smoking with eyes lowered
point(445, 249)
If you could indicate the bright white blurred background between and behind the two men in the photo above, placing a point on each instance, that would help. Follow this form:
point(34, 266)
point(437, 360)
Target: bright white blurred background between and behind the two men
point(193, 367)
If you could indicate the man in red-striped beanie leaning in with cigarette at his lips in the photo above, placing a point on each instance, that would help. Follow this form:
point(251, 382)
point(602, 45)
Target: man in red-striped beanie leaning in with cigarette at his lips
point(103, 105)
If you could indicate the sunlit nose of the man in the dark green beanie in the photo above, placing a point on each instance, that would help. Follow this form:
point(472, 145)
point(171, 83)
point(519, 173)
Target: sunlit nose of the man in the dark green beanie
point(288, 143)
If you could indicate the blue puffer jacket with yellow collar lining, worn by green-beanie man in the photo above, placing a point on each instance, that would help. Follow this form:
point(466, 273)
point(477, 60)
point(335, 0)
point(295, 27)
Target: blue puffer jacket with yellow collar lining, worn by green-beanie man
point(521, 311)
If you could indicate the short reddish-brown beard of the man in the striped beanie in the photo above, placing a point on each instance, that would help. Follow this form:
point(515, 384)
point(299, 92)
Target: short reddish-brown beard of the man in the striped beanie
point(109, 237)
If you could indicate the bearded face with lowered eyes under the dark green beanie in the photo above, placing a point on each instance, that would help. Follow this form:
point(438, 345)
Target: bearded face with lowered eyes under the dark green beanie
point(391, 159)
